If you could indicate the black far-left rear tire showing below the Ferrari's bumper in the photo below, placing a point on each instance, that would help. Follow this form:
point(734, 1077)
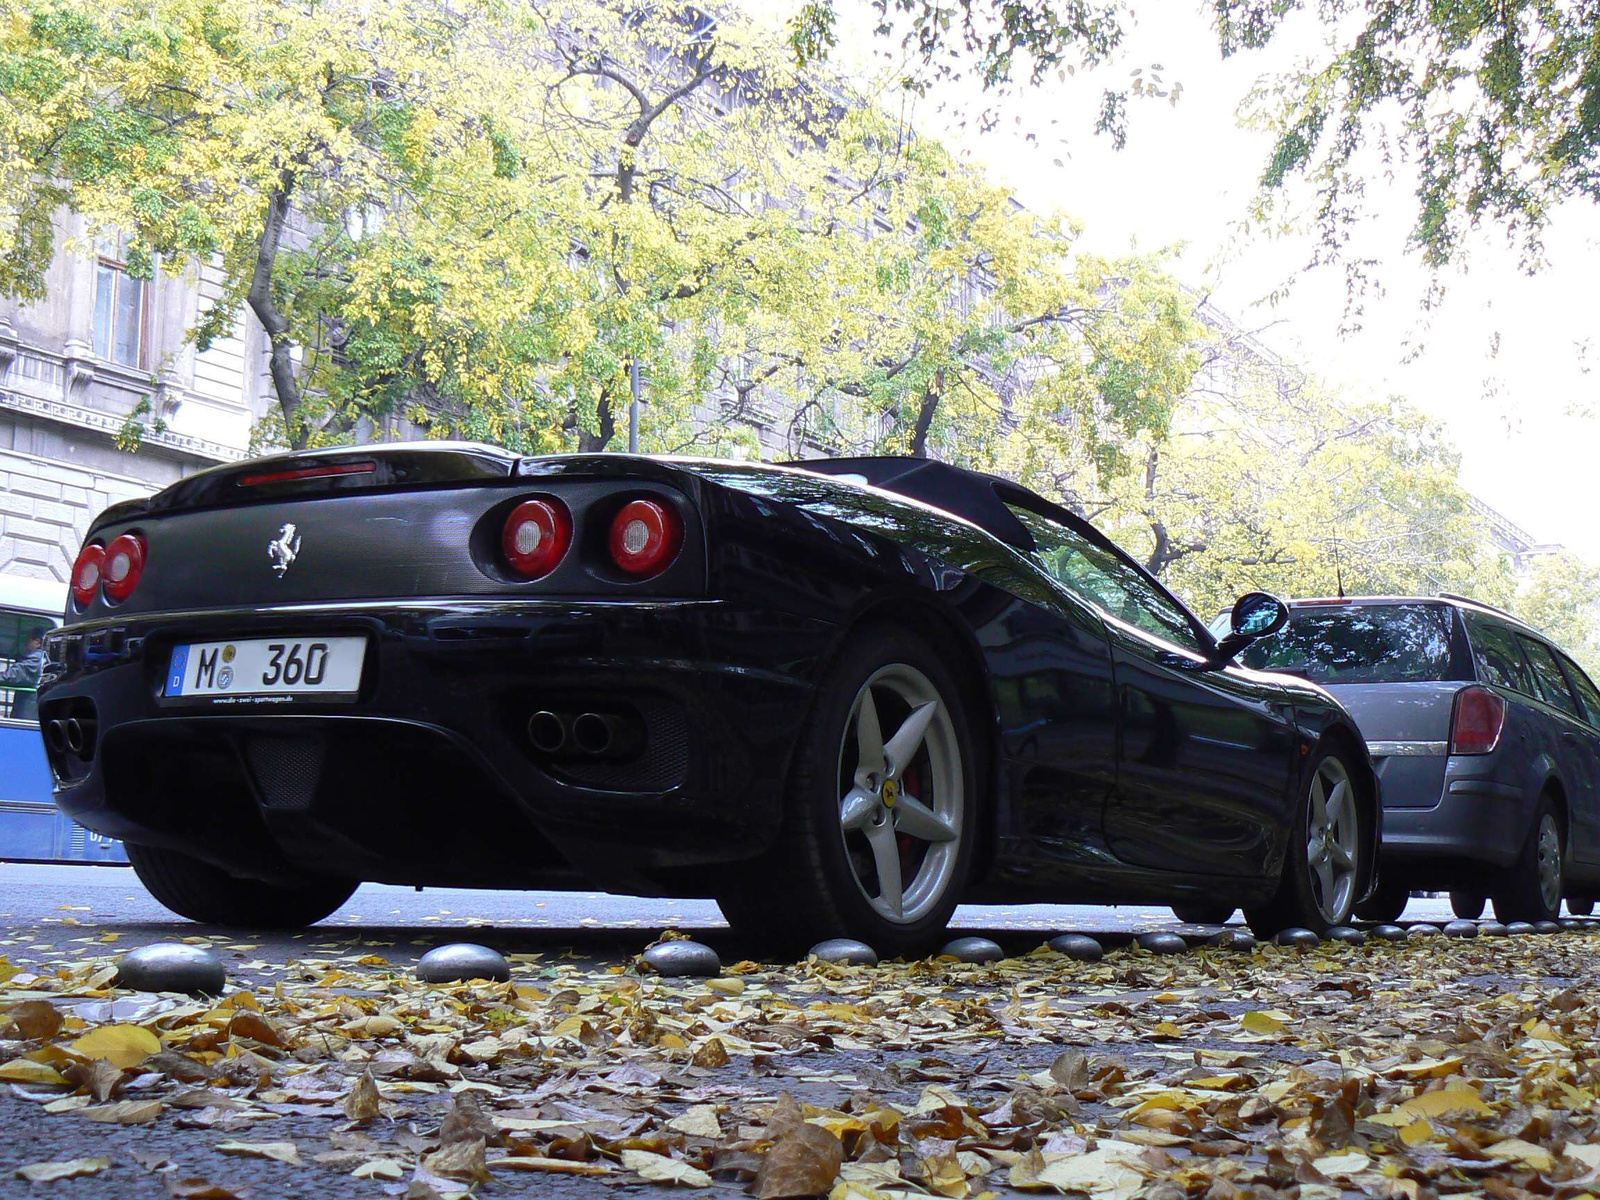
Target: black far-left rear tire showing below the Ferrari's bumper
point(212, 897)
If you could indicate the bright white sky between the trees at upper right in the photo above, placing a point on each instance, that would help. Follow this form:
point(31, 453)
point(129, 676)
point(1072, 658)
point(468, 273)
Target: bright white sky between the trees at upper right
point(1527, 420)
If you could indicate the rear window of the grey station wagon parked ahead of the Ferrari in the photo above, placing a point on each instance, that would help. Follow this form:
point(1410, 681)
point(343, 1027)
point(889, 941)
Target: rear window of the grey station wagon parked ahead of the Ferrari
point(1366, 644)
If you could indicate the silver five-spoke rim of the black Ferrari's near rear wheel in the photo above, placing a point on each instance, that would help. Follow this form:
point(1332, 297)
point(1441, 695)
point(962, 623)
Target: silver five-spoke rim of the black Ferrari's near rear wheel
point(902, 794)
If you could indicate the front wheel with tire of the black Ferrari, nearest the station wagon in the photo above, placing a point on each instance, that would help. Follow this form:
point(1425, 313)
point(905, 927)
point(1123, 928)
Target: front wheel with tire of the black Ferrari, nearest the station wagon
point(1324, 858)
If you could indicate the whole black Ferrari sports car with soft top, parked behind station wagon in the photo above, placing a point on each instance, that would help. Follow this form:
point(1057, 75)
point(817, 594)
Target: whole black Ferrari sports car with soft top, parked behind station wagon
point(838, 697)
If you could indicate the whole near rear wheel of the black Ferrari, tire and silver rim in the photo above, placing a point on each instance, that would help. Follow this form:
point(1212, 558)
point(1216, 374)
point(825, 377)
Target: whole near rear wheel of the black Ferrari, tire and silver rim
point(850, 830)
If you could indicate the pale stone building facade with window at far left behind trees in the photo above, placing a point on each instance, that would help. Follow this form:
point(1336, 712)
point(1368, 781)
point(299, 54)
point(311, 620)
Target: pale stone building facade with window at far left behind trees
point(98, 353)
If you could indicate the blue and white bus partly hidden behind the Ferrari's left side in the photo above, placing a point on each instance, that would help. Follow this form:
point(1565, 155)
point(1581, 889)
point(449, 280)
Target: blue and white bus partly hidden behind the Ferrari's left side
point(33, 830)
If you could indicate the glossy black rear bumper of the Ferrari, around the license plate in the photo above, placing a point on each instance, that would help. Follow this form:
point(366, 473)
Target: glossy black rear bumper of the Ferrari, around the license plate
point(428, 777)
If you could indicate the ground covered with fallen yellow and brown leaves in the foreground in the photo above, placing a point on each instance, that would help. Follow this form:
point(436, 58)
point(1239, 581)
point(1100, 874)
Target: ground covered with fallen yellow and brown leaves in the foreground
point(1430, 1068)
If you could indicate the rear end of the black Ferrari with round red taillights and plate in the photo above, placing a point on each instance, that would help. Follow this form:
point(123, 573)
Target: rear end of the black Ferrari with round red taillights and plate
point(438, 666)
